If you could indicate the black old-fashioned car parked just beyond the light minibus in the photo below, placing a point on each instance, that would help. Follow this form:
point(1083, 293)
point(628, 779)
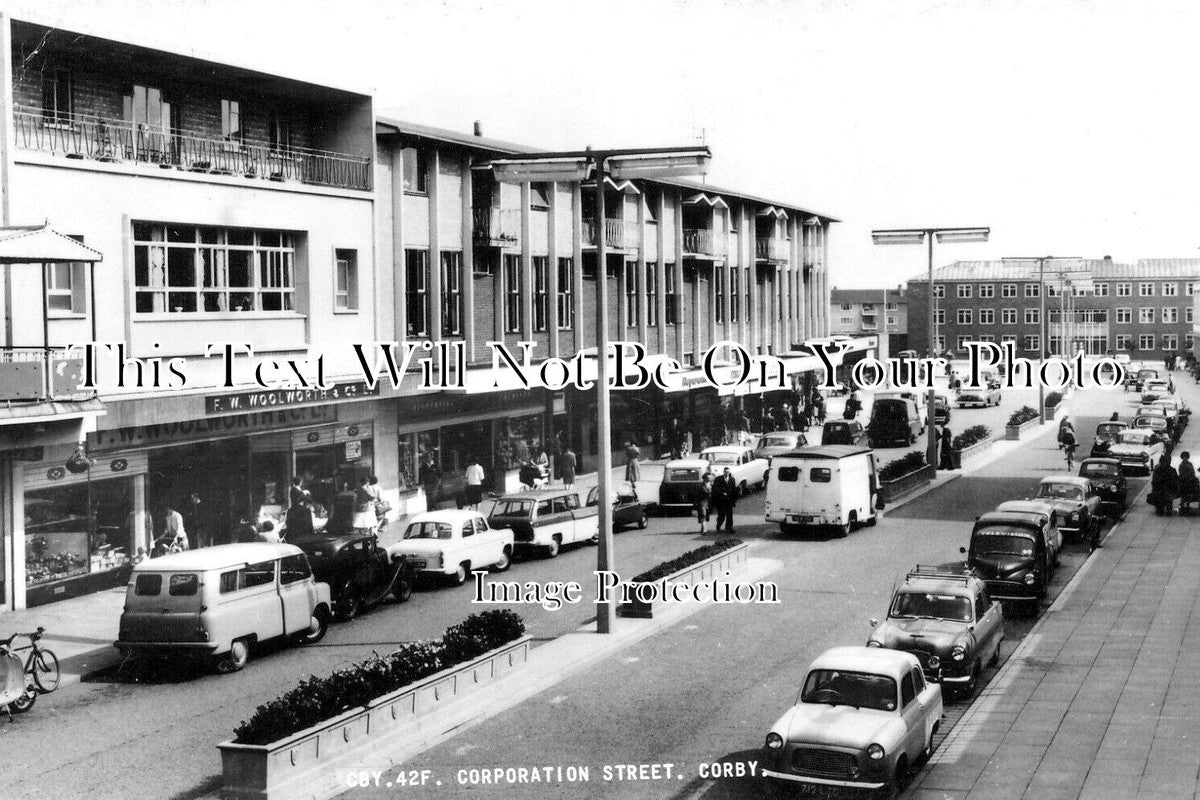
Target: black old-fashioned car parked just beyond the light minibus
point(359, 573)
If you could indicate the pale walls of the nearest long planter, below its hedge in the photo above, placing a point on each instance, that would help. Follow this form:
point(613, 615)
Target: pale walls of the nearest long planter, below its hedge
point(311, 765)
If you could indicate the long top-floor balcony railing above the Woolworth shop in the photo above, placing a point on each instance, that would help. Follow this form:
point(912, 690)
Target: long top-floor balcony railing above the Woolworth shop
point(77, 136)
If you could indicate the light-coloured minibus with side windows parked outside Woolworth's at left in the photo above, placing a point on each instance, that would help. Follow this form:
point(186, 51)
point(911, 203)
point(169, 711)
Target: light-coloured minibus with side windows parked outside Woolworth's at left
point(217, 603)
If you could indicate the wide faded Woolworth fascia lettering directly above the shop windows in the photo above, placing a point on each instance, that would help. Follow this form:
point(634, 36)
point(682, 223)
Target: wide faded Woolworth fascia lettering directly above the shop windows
point(237, 425)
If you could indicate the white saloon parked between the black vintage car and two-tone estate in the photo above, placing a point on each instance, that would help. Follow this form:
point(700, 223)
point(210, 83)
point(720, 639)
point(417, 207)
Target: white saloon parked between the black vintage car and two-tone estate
point(453, 543)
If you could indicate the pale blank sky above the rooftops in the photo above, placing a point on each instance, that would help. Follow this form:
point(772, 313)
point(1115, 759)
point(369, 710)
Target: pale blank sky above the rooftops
point(1067, 128)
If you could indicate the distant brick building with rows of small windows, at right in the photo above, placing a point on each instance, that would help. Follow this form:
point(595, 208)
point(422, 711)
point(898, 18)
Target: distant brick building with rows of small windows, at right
point(1144, 310)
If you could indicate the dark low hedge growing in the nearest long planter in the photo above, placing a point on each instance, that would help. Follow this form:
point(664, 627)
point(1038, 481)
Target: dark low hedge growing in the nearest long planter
point(317, 700)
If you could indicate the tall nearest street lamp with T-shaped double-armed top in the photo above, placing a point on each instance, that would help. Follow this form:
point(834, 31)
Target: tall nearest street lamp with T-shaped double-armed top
point(579, 166)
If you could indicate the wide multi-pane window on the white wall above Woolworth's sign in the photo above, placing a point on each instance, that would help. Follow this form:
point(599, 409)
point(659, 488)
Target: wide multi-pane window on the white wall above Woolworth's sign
point(191, 269)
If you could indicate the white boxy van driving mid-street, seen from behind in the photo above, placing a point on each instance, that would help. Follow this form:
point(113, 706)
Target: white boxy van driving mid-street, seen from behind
point(821, 488)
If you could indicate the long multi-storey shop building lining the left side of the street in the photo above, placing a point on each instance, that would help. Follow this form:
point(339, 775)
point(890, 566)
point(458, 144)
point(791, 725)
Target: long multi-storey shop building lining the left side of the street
point(231, 206)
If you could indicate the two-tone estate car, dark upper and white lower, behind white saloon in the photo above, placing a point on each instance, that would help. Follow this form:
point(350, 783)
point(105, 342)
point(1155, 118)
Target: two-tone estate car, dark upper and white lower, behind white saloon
point(547, 520)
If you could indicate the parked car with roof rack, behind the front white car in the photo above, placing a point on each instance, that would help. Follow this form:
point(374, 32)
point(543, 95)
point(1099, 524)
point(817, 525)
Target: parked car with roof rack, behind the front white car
point(949, 622)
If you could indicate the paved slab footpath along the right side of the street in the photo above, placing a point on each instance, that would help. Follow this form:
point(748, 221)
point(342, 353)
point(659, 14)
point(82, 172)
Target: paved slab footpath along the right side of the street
point(1102, 701)
